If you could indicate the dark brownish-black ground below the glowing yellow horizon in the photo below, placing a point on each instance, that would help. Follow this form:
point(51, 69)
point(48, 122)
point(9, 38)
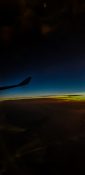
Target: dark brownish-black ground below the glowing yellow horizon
point(42, 136)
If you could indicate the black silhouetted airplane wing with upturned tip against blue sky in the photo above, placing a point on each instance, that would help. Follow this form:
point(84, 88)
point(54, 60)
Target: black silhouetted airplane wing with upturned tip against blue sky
point(23, 83)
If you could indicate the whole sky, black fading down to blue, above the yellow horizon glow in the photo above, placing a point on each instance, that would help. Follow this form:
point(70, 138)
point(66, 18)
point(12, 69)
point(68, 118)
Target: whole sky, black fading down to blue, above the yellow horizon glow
point(44, 39)
